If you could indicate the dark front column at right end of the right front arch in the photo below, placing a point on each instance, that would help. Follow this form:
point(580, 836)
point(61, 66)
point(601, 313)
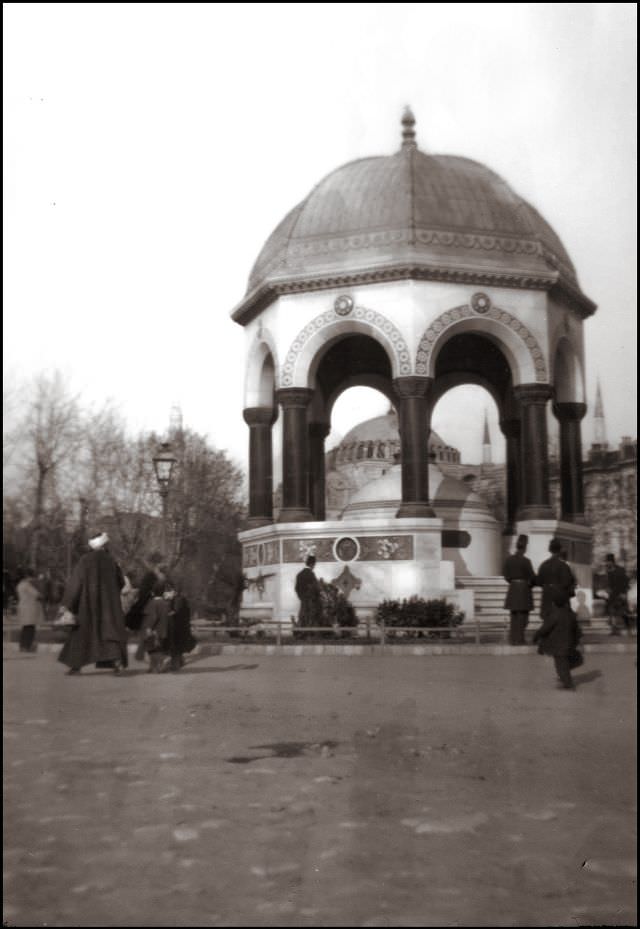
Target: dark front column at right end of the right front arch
point(534, 451)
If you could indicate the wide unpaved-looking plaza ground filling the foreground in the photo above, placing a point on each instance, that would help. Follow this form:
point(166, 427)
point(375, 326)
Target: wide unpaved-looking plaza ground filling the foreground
point(371, 790)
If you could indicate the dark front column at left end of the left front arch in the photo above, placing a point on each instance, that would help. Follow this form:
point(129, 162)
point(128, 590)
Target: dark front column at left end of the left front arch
point(295, 454)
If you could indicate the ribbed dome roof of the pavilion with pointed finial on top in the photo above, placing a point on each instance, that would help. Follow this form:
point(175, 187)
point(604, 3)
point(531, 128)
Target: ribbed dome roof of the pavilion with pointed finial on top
point(410, 214)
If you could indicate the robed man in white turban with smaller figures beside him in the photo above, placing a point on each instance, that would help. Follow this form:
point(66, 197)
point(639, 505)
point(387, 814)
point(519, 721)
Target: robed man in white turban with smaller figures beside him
point(99, 621)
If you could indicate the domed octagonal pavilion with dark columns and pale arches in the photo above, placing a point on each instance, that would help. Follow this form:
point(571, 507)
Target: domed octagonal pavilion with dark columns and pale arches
point(410, 273)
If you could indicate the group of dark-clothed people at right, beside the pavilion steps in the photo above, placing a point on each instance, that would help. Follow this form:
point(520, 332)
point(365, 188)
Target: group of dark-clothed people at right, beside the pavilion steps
point(559, 633)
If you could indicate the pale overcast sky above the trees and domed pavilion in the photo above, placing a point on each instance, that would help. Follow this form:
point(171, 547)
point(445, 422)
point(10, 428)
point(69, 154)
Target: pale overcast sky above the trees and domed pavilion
point(150, 149)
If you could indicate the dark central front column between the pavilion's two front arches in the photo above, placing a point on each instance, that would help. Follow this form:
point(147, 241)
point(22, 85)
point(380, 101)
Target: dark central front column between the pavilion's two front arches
point(414, 423)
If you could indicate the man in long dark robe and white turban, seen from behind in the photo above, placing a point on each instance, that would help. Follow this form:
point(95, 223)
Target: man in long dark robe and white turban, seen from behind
point(93, 596)
